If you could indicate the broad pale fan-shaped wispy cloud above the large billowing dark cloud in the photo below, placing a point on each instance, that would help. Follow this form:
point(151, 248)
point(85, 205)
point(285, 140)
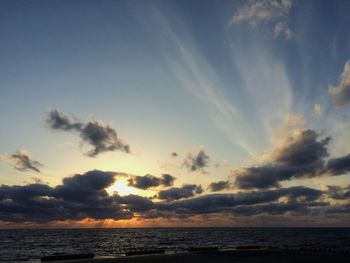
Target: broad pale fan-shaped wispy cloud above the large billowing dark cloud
point(263, 78)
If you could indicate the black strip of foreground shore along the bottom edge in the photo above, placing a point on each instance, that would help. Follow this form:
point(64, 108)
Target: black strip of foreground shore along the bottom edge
point(261, 256)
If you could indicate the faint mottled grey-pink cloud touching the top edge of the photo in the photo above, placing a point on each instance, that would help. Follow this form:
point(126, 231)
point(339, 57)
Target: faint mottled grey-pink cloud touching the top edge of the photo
point(274, 13)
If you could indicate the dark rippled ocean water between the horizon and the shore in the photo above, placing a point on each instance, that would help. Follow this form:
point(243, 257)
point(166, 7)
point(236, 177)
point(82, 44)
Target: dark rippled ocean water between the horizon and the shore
point(20, 245)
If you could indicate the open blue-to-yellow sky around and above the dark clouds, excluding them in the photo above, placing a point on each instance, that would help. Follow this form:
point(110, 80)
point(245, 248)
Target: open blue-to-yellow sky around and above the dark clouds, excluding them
point(171, 76)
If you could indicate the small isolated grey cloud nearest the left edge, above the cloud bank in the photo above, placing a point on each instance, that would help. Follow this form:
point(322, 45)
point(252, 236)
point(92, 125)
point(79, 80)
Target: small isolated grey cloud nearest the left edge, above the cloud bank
point(23, 161)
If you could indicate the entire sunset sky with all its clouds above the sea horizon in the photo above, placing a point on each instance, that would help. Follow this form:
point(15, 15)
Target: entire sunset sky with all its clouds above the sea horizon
point(174, 113)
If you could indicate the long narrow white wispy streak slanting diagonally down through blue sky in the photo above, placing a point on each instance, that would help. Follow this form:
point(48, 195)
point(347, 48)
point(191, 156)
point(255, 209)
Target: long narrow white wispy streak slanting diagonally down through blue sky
point(200, 79)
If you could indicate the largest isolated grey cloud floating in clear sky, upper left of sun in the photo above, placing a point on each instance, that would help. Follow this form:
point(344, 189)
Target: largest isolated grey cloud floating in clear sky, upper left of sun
point(95, 133)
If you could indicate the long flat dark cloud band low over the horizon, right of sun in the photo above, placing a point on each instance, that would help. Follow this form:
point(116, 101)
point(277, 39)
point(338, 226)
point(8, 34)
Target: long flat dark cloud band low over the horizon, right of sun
point(246, 203)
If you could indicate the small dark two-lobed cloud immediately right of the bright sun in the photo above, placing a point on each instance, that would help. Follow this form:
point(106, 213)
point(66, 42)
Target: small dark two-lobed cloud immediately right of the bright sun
point(148, 181)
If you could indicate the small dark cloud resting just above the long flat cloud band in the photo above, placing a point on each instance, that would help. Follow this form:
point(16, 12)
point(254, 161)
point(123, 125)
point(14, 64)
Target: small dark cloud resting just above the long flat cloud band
point(175, 193)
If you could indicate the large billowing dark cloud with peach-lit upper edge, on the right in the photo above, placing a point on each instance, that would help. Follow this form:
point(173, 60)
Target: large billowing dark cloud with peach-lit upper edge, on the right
point(302, 156)
